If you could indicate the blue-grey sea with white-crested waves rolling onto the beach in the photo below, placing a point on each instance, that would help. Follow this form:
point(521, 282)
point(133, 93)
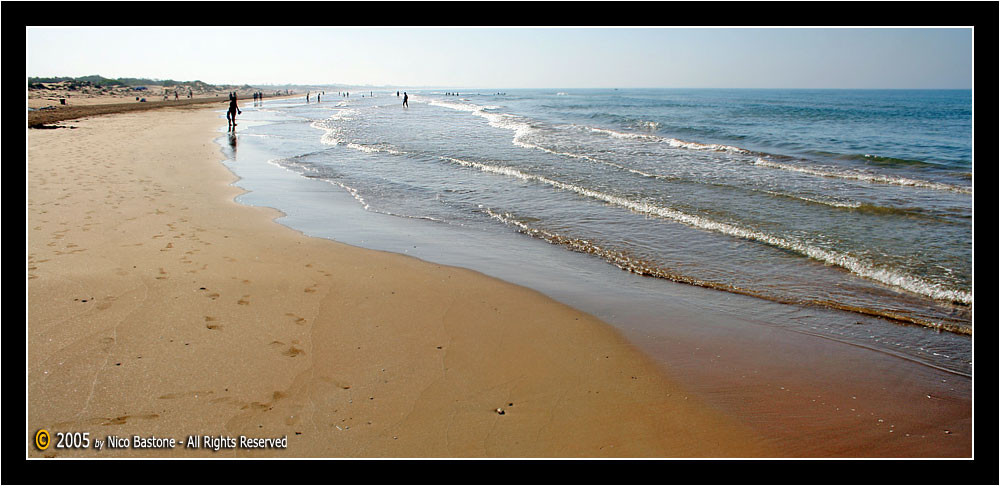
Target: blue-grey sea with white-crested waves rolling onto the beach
point(847, 214)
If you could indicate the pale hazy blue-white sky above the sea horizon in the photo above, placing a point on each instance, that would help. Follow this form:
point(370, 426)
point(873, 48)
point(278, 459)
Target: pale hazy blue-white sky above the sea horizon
point(508, 58)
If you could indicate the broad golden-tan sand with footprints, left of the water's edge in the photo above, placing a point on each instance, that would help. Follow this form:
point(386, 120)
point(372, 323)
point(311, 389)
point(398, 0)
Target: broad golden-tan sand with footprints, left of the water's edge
point(157, 306)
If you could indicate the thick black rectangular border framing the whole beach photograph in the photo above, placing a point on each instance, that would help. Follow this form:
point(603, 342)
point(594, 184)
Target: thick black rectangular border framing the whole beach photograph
point(981, 15)
